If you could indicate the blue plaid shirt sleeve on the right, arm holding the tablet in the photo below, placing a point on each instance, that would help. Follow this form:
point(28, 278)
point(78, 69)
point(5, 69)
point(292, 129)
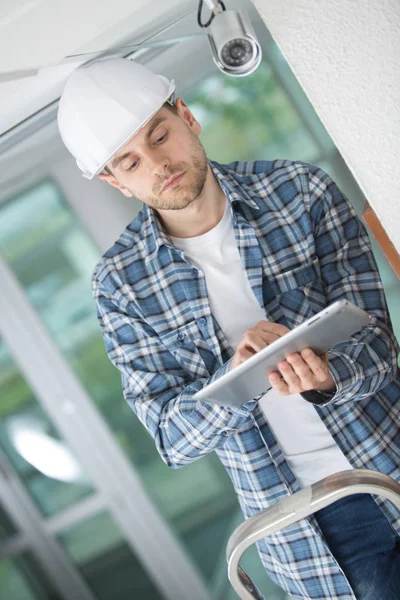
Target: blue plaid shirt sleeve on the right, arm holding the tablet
point(367, 362)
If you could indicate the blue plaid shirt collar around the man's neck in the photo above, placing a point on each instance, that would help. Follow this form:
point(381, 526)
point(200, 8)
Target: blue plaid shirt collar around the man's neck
point(233, 190)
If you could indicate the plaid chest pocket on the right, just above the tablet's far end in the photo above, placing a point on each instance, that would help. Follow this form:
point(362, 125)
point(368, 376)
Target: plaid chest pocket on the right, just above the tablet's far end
point(297, 294)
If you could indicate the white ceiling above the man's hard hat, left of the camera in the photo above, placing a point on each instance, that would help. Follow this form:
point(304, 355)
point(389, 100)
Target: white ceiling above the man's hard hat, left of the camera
point(41, 33)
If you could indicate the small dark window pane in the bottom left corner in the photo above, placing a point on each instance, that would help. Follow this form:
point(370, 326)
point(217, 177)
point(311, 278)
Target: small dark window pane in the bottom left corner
point(22, 579)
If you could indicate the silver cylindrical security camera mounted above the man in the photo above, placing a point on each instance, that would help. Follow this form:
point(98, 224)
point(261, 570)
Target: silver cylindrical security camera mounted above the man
point(236, 50)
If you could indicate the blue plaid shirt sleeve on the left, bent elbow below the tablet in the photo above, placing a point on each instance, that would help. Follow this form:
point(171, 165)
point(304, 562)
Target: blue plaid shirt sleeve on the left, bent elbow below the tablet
point(160, 392)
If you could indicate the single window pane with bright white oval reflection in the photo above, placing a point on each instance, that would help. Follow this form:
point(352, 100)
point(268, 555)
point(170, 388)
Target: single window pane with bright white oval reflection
point(46, 466)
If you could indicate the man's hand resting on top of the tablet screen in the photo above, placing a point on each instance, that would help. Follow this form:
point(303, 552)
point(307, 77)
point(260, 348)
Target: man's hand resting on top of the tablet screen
point(257, 338)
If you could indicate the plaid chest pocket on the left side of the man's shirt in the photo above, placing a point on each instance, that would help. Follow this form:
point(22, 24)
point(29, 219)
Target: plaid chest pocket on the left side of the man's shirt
point(186, 344)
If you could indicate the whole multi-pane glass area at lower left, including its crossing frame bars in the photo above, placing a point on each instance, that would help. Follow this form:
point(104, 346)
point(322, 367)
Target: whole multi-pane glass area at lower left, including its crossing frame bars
point(57, 537)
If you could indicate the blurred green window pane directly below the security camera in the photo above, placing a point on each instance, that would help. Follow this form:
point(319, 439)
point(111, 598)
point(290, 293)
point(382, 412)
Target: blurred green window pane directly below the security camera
point(249, 118)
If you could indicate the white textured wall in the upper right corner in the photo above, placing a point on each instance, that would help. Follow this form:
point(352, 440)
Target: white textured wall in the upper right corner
point(345, 54)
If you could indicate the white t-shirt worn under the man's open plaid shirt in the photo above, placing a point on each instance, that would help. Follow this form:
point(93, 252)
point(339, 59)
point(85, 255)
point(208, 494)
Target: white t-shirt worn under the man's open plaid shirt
point(306, 443)
